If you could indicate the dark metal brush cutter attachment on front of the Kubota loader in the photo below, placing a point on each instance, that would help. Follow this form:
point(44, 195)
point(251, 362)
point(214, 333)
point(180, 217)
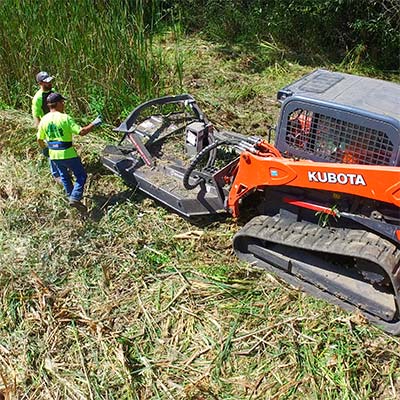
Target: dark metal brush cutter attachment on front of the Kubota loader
point(167, 147)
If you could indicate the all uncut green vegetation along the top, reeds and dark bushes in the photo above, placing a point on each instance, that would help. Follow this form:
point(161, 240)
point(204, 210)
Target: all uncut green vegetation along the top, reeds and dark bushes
point(107, 56)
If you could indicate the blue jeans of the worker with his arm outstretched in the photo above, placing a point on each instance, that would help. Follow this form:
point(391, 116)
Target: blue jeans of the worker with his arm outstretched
point(74, 192)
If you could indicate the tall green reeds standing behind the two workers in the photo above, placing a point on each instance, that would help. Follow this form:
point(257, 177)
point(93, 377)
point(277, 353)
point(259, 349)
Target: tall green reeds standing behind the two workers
point(101, 52)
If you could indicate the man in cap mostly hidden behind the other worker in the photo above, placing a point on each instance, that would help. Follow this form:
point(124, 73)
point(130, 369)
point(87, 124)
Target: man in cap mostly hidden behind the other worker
point(40, 108)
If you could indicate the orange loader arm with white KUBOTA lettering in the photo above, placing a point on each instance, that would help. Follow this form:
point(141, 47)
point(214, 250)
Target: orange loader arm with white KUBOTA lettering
point(269, 168)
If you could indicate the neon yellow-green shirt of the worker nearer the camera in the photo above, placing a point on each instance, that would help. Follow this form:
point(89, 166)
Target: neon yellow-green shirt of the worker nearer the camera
point(58, 127)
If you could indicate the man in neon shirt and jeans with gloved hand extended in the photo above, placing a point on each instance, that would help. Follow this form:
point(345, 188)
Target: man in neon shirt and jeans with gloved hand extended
point(55, 132)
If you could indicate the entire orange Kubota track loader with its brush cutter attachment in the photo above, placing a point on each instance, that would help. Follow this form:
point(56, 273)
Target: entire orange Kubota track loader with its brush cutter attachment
point(327, 193)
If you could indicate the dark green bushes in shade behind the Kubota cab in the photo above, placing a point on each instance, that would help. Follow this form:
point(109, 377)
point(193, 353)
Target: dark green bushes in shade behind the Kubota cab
point(309, 29)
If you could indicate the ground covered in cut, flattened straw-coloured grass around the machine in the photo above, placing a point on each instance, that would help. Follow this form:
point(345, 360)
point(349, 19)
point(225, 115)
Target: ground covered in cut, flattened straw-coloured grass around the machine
point(135, 302)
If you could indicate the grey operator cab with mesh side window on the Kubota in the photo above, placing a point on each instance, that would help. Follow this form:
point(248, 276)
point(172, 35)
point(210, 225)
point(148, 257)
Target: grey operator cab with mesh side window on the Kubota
point(341, 118)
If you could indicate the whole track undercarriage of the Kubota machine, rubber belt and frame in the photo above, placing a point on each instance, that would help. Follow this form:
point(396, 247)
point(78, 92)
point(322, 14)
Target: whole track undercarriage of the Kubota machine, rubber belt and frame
point(354, 269)
